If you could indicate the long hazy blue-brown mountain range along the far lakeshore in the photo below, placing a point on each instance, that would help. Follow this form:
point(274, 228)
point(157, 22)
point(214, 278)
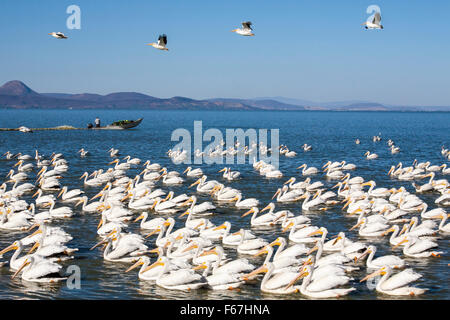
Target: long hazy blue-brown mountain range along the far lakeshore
point(16, 95)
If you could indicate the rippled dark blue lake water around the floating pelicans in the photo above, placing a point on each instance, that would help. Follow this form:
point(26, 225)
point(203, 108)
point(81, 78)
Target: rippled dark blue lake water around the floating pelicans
point(332, 134)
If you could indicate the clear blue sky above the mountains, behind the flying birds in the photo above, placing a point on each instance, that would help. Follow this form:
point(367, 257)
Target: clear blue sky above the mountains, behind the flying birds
point(314, 50)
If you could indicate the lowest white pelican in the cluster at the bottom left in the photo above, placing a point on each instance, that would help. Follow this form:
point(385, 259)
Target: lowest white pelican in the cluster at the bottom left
point(37, 270)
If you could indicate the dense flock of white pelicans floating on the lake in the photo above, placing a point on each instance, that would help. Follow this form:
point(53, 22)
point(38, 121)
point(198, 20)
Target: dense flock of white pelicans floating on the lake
point(193, 251)
